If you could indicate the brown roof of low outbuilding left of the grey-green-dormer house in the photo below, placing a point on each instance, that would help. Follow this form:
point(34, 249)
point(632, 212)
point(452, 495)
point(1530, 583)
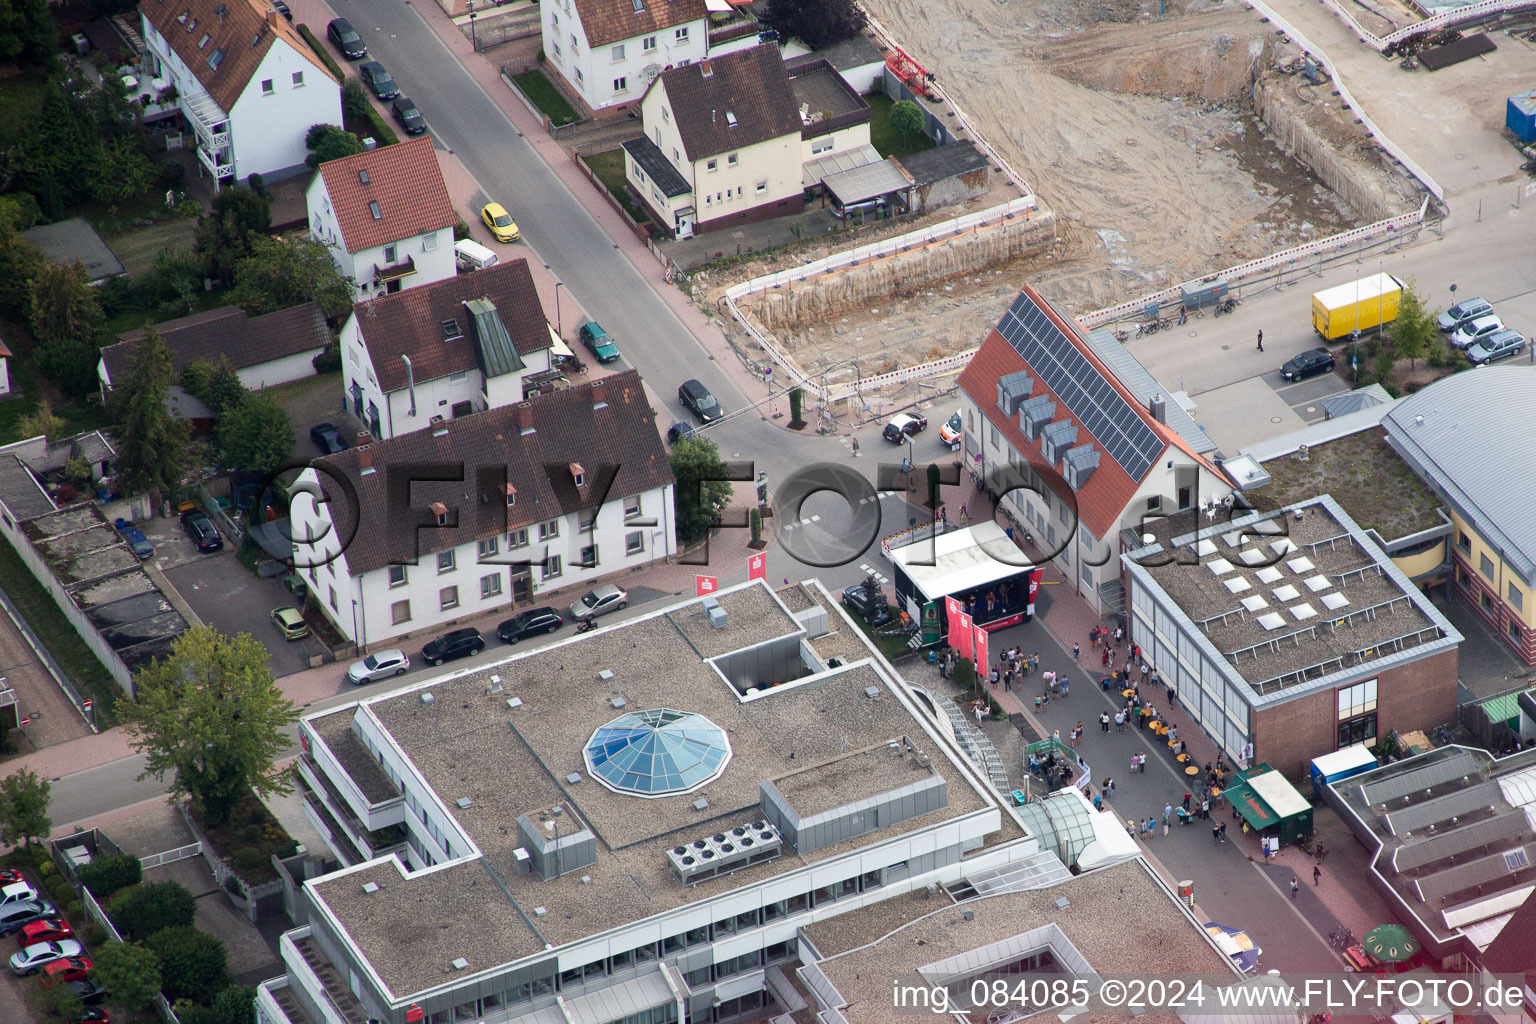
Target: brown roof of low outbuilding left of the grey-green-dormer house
point(228, 332)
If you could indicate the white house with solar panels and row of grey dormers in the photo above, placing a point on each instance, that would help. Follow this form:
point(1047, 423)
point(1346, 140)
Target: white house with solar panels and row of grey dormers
point(1082, 443)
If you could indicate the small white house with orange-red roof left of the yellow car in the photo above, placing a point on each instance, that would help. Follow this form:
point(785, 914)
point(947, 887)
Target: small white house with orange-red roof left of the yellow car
point(386, 217)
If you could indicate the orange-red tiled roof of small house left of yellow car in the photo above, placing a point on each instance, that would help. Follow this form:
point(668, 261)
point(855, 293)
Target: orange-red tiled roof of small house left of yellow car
point(406, 183)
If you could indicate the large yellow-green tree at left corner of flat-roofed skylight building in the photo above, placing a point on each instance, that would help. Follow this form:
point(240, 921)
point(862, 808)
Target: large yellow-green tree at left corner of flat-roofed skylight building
point(213, 718)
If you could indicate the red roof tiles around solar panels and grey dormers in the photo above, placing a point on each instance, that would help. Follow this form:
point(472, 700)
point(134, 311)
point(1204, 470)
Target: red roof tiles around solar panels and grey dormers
point(1102, 501)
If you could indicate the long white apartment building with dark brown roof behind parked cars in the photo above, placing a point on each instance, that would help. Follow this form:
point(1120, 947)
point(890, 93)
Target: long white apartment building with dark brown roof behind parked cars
point(485, 512)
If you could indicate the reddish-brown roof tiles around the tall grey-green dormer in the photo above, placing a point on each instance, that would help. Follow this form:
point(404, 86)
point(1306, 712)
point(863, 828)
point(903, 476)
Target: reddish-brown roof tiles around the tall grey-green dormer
point(411, 323)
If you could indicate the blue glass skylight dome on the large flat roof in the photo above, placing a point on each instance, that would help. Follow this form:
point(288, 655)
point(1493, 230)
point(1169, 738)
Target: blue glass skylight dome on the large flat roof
point(657, 753)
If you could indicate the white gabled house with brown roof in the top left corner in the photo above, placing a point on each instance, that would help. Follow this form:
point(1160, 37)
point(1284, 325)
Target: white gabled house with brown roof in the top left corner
point(245, 81)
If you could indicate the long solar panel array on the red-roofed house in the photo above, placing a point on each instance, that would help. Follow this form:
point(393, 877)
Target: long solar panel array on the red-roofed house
point(1107, 415)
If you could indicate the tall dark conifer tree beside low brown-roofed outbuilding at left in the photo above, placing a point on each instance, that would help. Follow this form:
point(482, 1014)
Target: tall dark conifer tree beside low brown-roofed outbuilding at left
point(153, 443)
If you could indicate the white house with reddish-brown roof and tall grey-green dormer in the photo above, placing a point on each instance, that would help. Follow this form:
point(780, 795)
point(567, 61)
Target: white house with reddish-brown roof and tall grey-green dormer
point(445, 351)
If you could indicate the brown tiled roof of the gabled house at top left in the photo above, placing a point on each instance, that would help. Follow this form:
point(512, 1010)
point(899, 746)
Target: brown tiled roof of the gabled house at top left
point(239, 28)
